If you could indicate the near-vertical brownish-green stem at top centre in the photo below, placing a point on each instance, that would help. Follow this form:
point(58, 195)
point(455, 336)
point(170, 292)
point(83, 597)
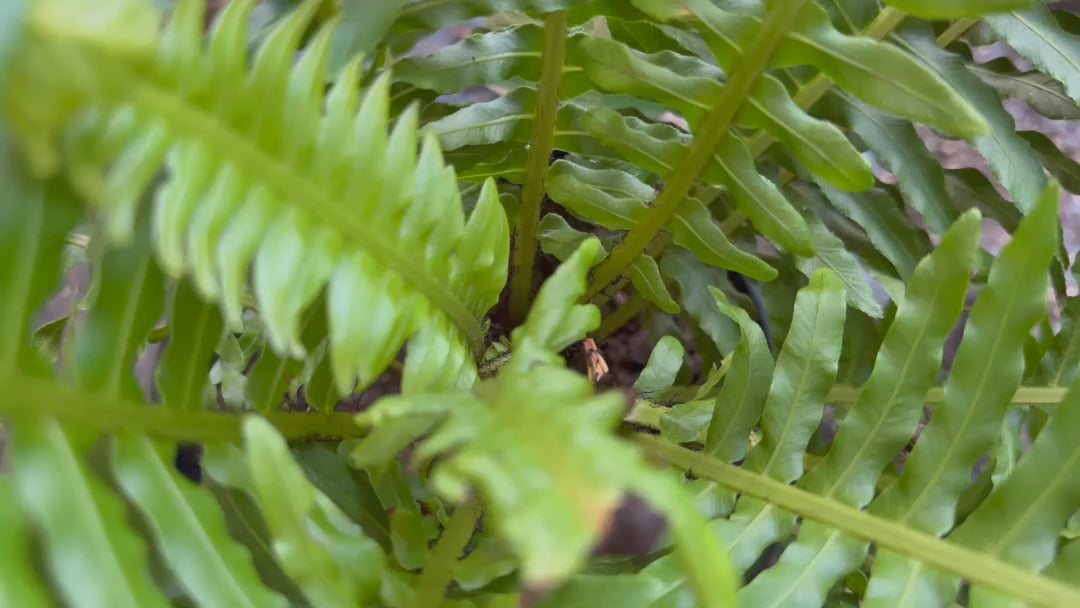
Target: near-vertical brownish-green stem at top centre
point(537, 164)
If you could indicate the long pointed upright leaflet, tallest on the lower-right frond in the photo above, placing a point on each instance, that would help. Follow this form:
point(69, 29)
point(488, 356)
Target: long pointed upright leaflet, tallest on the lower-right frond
point(988, 371)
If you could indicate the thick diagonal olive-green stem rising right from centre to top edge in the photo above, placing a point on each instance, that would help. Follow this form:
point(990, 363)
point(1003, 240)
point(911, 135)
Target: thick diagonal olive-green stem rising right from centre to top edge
point(712, 130)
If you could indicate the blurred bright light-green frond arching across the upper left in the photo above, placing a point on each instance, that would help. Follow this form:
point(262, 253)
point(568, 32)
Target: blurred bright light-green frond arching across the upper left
point(269, 178)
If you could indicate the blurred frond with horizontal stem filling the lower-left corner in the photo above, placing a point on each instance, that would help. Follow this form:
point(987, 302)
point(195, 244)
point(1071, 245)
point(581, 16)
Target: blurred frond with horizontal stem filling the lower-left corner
point(80, 456)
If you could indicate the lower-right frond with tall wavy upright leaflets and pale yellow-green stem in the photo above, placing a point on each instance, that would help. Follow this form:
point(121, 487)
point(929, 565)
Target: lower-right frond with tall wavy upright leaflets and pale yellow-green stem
point(996, 544)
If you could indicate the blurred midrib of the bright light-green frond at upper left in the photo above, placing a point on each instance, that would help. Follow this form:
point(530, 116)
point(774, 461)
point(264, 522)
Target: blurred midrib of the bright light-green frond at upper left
point(293, 186)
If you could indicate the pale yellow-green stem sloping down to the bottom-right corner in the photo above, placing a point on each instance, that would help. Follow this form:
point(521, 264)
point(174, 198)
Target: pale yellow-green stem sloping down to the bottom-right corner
point(978, 569)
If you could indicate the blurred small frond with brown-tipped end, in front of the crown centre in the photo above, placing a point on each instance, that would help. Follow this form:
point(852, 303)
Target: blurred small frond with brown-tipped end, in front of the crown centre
point(549, 497)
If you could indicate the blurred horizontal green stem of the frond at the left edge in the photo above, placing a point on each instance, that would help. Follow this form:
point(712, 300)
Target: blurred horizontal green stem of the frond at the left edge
point(24, 397)
